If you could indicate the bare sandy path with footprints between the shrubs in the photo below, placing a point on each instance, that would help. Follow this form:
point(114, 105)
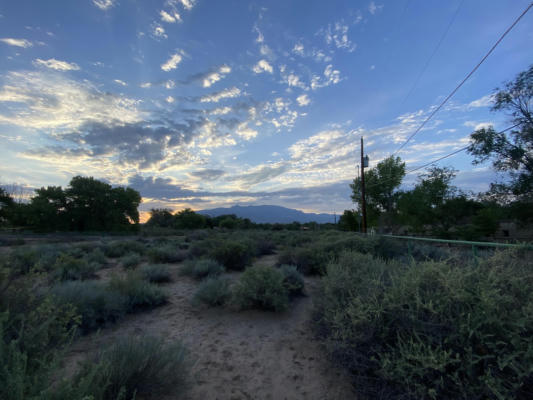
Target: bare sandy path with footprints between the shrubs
point(237, 355)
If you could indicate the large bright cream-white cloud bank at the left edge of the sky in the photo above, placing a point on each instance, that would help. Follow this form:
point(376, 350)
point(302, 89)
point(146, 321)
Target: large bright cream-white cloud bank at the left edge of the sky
point(50, 100)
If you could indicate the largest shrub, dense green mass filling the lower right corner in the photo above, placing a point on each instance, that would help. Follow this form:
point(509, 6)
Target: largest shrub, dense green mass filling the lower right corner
point(431, 330)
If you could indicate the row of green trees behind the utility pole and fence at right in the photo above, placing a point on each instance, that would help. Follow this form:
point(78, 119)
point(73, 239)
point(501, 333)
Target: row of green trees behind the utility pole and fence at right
point(435, 206)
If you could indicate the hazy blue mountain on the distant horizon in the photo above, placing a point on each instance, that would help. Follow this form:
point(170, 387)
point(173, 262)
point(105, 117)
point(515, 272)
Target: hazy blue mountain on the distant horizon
point(270, 214)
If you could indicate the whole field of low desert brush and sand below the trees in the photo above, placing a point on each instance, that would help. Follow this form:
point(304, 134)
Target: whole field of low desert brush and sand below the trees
point(262, 315)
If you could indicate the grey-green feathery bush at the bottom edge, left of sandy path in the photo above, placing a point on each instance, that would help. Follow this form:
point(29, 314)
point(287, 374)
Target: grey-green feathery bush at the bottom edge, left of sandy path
point(134, 366)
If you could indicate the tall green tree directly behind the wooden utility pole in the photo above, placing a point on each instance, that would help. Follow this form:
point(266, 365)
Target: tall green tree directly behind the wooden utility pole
point(381, 184)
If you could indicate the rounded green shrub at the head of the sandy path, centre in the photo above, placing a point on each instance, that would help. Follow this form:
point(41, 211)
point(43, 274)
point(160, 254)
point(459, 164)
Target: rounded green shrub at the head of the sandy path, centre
point(261, 287)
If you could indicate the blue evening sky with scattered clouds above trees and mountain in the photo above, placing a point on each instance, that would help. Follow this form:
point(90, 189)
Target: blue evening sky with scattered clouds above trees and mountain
point(205, 103)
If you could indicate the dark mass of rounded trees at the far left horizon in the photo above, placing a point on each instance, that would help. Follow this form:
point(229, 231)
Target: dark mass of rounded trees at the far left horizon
point(87, 204)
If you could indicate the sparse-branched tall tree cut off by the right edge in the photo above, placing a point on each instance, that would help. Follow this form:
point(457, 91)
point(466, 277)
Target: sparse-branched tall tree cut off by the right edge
point(510, 152)
